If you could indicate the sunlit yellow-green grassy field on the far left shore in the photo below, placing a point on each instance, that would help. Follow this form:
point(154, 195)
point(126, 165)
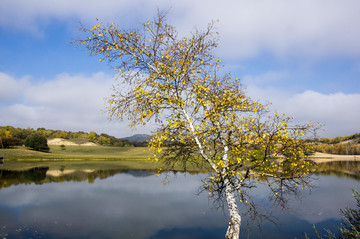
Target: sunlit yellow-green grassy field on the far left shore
point(84, 157)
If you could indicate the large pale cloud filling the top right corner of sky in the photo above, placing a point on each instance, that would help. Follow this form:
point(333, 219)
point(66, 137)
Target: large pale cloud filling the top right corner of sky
point(310, 28)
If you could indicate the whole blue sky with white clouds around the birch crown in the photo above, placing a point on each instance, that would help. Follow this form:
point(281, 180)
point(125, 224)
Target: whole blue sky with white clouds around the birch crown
point(303, 56)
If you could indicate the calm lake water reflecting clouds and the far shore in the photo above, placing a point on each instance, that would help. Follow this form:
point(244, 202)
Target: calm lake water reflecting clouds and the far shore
point(119, 203)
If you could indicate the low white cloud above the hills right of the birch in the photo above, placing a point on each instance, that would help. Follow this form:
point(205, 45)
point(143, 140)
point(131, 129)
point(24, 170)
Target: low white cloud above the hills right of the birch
point(338, 112)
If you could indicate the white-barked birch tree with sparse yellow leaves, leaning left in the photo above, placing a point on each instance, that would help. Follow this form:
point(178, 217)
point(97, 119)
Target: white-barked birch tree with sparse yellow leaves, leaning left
point(203, 115)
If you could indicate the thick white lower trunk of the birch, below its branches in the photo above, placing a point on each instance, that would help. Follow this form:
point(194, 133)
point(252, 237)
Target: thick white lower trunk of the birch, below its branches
point(233, 231)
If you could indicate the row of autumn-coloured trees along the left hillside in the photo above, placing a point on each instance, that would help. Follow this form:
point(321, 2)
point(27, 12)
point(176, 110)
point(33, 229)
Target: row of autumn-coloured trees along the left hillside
point(12, 137)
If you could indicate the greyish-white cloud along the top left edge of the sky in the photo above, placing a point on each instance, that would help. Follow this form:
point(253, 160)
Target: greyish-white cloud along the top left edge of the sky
point(32, 15)
